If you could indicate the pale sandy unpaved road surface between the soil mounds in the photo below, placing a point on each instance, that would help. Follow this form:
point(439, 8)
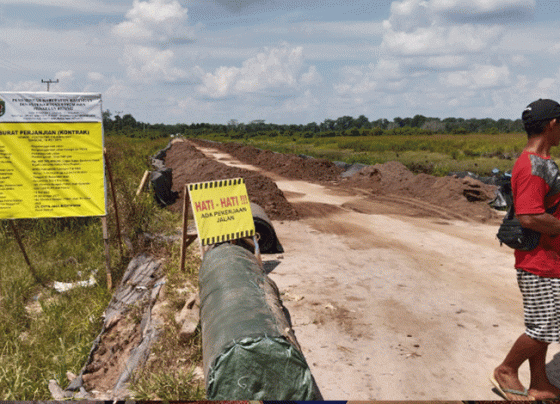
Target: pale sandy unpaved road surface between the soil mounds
point(390, 302)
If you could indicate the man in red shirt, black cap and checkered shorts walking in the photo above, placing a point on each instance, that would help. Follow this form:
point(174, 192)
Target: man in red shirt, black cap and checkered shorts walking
point(536, 191)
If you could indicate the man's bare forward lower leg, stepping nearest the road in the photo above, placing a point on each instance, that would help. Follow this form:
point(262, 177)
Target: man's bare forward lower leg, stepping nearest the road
point(506, 374)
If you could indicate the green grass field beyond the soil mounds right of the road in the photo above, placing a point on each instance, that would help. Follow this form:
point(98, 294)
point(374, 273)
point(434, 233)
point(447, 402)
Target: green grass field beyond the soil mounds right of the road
point(433, 154)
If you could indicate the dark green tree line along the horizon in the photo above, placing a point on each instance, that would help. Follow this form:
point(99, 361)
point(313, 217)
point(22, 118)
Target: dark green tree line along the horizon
point(342, 126)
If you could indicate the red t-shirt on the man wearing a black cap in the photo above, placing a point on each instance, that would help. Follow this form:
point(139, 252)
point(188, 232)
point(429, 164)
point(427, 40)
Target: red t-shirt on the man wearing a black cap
point(535, 184)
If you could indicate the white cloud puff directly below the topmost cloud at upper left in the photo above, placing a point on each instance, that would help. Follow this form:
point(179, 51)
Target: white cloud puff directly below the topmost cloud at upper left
point(147, 63)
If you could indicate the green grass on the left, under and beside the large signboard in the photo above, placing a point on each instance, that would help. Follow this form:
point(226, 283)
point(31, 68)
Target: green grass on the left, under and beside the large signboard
point(43, 333)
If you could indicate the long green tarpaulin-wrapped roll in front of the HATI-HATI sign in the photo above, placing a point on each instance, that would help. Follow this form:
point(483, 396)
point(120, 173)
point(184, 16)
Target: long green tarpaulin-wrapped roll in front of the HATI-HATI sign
point(249, 348)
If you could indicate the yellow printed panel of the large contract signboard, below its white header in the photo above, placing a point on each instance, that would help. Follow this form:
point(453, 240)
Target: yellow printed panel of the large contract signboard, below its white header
point(51, 170)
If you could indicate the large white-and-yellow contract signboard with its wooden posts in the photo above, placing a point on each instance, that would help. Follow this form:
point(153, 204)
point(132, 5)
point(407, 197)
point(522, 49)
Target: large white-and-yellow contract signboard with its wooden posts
point(52, 160)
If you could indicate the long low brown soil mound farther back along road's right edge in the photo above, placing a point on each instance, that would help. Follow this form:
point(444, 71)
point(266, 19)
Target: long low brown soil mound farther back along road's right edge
point(286, 165)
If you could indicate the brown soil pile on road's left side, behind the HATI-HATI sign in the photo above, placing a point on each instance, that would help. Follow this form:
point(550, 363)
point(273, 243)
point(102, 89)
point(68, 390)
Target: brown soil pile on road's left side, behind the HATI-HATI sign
point(190, 166)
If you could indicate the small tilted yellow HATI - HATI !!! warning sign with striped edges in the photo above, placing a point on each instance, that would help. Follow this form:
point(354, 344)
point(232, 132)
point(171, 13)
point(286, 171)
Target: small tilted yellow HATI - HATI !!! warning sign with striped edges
point(222, 210)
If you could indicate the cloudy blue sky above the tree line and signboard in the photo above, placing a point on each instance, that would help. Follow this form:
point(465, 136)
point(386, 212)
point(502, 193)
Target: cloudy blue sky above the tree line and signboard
point(286, 61)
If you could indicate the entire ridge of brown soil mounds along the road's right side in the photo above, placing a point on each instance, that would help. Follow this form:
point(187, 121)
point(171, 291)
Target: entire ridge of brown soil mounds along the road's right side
point(468, 197)
